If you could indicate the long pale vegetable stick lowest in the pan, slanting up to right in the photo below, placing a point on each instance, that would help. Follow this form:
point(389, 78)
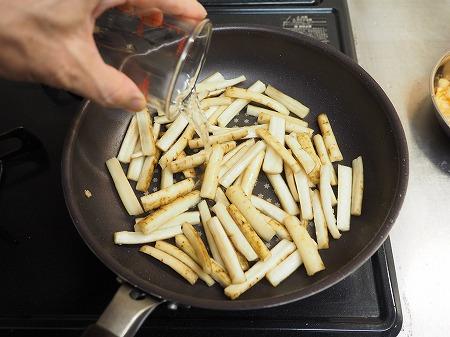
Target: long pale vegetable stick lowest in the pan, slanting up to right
point(278, 253)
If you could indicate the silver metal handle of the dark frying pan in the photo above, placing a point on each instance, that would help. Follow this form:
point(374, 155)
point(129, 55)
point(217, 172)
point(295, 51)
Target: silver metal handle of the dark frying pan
point(124, 315)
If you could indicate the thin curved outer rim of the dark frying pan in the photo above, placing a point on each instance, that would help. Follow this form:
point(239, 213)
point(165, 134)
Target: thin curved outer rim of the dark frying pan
point(252, 304)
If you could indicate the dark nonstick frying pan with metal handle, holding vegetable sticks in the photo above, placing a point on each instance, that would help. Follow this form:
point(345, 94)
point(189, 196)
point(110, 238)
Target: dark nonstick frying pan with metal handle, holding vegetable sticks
point(363, 119)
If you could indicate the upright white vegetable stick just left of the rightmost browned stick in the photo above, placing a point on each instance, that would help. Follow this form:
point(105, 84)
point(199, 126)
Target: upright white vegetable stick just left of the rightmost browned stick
point(344, 197)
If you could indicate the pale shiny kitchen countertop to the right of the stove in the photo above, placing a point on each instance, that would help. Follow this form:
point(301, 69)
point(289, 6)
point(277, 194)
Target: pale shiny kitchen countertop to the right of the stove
point(398, 43)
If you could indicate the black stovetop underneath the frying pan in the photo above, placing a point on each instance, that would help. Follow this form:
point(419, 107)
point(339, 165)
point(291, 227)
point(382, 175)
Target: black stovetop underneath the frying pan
point(51, 284)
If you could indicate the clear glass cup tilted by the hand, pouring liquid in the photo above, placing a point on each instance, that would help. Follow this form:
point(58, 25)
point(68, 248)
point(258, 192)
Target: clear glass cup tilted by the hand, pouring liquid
point(162, 54)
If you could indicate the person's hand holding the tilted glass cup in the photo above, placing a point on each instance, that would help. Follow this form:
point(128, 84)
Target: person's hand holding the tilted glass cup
point(51, 41)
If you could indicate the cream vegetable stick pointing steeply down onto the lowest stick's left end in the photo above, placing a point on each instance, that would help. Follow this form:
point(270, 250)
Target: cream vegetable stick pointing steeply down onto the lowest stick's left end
point(226, 250)
